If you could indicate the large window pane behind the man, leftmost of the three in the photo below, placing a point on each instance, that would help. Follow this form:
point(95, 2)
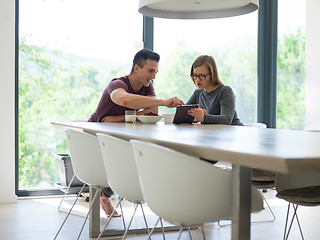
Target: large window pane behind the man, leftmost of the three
point(69, 51)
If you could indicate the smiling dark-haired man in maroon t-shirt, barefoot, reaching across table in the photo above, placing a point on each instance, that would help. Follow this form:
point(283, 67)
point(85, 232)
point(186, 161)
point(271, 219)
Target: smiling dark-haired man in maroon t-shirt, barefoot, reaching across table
point(133, 91)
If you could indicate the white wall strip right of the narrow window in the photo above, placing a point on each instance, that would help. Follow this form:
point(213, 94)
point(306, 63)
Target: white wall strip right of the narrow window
point(312, 65)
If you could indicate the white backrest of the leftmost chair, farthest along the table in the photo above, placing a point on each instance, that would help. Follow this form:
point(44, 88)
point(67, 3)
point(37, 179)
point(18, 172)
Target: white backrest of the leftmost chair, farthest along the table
point(86, 158)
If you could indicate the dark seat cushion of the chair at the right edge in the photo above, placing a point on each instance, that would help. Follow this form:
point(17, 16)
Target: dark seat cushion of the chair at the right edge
point(307, 196)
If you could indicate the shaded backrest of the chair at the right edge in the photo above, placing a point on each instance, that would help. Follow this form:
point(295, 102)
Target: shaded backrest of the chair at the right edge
point(297, 180)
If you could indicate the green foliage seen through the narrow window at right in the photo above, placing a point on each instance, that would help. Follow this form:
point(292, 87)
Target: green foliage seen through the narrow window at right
point(291, 81)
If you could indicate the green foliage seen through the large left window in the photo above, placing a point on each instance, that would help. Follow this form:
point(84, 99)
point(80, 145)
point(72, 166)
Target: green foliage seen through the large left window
point(52, 86)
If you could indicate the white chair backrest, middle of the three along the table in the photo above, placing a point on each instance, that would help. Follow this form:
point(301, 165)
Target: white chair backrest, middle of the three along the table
point(120, 167)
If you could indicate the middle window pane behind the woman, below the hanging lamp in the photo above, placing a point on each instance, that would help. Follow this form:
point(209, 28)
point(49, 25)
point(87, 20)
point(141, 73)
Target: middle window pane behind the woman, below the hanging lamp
point(231, 41)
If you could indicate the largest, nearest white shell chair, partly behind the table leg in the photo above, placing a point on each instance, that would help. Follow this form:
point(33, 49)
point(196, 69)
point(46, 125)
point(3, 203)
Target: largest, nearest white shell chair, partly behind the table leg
point(195, 191)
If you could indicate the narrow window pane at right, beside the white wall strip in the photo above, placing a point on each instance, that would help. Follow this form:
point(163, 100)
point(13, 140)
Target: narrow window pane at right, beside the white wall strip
point(291, 64)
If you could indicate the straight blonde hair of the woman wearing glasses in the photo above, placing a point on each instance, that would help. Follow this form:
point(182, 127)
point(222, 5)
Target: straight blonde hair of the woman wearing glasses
point(209, 61)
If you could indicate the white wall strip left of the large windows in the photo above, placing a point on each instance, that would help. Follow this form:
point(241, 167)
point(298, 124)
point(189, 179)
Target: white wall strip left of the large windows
point(7, 176)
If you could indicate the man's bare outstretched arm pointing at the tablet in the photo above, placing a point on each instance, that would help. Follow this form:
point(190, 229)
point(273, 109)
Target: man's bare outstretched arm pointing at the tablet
point(120, 97)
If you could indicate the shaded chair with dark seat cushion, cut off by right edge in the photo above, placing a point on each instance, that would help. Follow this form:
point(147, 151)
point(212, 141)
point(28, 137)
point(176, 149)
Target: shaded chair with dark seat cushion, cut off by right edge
point(298, 189)
